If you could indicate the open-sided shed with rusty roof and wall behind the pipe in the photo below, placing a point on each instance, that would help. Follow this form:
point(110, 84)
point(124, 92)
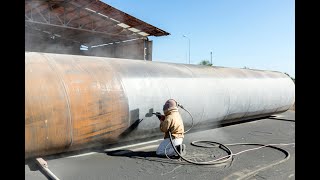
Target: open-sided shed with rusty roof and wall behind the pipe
point(86, 27)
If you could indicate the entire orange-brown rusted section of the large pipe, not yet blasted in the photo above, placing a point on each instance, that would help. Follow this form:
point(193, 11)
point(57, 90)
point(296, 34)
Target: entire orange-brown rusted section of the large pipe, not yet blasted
point(71, 102)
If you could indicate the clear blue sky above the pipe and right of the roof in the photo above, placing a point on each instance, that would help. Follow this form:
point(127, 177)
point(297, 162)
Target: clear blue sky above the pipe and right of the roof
point(258, 34)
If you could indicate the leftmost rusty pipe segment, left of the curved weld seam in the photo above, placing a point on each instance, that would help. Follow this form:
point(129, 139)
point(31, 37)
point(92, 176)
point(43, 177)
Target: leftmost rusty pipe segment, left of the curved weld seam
point(46, 110)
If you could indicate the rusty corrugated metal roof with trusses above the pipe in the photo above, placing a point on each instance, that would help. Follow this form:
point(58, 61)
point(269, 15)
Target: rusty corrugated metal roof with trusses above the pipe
point(85, 21)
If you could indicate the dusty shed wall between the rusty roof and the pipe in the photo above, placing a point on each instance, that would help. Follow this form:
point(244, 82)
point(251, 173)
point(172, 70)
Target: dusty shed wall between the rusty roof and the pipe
point(126, 50)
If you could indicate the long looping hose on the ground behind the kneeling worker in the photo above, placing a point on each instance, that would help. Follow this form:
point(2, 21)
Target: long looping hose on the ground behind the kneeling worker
point(230, 154)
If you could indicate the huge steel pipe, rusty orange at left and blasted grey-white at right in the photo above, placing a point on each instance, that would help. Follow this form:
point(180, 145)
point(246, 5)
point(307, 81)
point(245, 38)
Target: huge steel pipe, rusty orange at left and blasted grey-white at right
point(74, 102)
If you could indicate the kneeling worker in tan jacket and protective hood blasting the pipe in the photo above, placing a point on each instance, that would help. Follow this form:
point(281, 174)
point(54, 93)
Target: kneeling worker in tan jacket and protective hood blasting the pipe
point(171, 121)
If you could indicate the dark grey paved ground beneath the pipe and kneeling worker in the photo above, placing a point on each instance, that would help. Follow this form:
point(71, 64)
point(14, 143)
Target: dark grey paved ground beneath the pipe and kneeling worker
point(138, 161)
